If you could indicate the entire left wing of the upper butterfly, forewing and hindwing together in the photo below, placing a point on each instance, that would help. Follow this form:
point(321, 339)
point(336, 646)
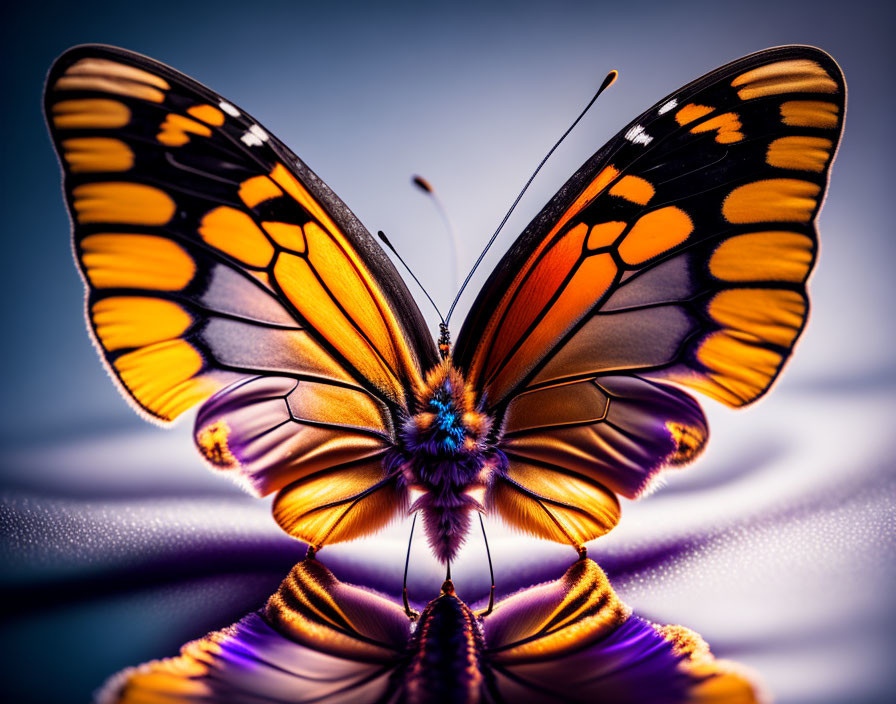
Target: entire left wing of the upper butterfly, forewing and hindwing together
point(216, 262)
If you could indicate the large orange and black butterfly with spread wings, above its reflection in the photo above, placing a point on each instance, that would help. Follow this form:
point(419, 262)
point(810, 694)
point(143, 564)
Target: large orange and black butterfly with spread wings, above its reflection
point(220, 270)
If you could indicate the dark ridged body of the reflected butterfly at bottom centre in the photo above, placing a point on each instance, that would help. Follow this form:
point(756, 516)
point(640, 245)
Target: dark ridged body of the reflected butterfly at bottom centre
point(445, 654)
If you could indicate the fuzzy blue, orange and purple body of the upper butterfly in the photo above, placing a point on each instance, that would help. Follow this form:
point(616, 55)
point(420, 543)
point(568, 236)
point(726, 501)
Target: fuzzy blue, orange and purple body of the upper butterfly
point(448, 454)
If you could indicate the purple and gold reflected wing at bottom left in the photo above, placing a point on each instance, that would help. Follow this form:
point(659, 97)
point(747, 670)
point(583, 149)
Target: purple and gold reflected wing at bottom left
point(317, 640)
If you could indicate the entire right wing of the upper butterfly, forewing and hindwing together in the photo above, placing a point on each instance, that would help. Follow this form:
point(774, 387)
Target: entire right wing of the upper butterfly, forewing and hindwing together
point(678, 253)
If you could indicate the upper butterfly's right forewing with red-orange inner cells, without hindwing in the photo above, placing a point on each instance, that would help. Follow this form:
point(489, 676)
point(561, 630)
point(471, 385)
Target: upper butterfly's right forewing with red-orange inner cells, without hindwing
point(681, 249)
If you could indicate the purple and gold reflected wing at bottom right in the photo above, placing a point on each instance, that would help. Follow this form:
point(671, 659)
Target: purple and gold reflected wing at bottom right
point(573, 640)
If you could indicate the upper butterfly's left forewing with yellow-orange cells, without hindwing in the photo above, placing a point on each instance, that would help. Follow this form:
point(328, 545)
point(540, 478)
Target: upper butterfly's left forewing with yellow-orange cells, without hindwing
point(210, 251)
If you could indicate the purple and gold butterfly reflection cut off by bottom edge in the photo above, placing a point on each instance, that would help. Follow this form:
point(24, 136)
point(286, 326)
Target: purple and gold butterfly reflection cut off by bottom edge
point(321, 640)
